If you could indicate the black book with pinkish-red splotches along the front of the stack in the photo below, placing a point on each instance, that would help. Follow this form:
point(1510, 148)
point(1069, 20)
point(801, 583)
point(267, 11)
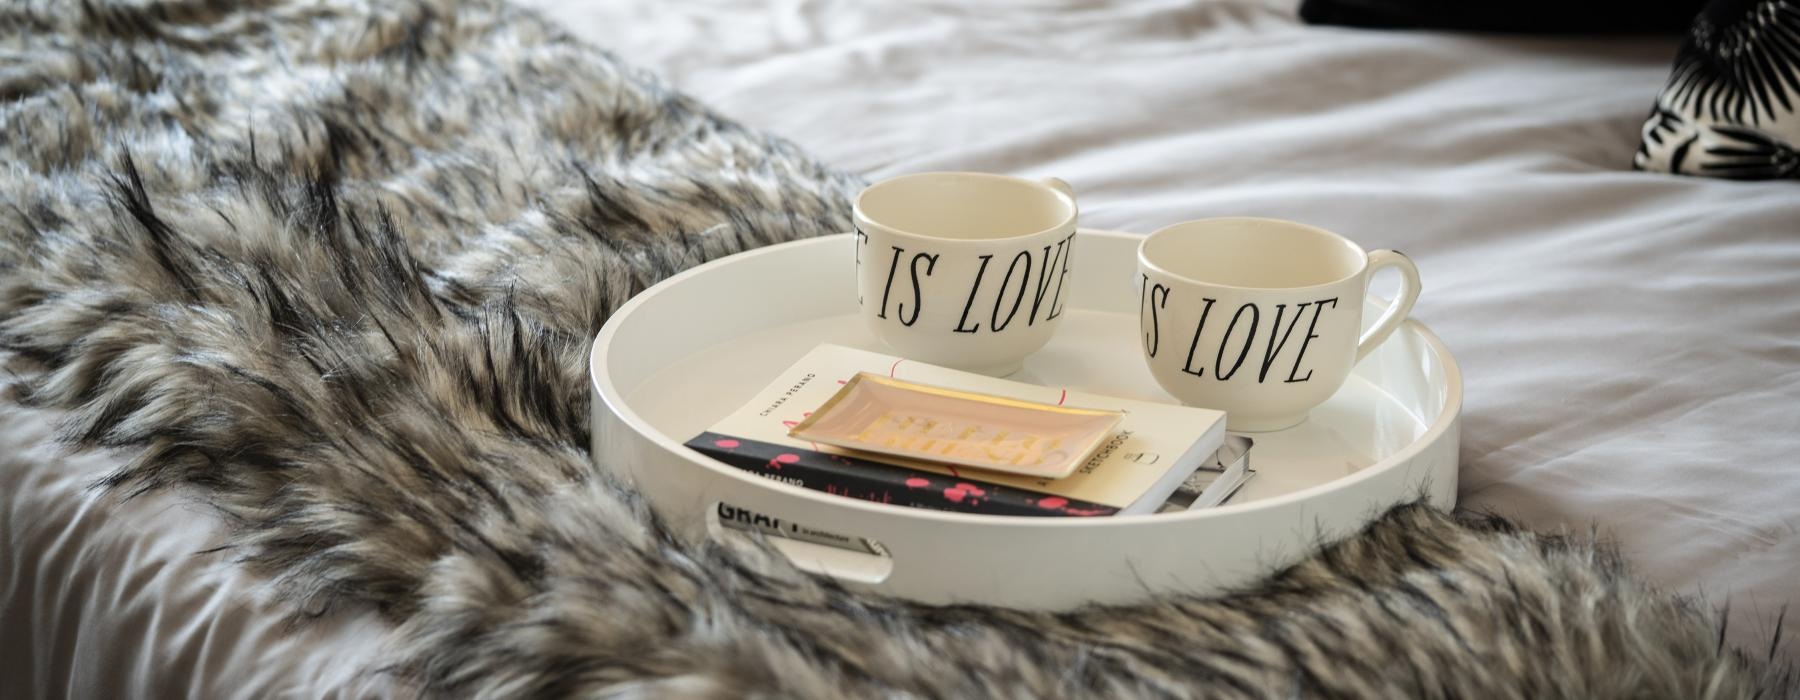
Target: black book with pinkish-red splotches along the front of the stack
point(867, 480)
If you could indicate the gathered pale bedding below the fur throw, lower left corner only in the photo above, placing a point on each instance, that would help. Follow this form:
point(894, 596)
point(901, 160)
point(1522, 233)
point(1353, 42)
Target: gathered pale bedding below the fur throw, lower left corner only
point(114, 600)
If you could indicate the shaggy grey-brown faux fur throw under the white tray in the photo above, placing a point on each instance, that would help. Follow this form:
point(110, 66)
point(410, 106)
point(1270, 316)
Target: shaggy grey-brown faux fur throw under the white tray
point(336, 267)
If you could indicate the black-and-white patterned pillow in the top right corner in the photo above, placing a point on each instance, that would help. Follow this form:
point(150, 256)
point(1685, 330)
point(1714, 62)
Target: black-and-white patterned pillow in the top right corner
point(1732, 105)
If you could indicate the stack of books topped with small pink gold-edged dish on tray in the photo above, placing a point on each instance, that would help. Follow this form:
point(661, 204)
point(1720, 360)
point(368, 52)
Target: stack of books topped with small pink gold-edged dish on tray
point(939, 451)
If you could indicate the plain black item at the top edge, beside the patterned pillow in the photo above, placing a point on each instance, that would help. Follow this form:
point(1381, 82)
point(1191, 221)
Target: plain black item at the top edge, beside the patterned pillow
point(1533, 17)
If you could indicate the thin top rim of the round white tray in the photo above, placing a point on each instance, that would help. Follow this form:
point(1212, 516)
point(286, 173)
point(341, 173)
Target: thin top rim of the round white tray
point(609, 393)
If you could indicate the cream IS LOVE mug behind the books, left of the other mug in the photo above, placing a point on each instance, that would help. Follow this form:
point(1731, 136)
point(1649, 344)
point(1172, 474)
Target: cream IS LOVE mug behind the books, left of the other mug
point(966, 271)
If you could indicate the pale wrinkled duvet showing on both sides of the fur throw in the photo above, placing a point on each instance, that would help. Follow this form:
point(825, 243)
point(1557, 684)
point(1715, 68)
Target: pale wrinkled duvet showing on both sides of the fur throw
point(1632, 343)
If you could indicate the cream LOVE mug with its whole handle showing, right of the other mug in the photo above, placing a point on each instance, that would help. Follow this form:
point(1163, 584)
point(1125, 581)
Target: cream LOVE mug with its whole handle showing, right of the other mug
point(1261, 319)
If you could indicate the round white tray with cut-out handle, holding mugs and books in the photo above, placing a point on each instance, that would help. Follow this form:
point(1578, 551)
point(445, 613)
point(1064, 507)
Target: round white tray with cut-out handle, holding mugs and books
point(690, 350)
